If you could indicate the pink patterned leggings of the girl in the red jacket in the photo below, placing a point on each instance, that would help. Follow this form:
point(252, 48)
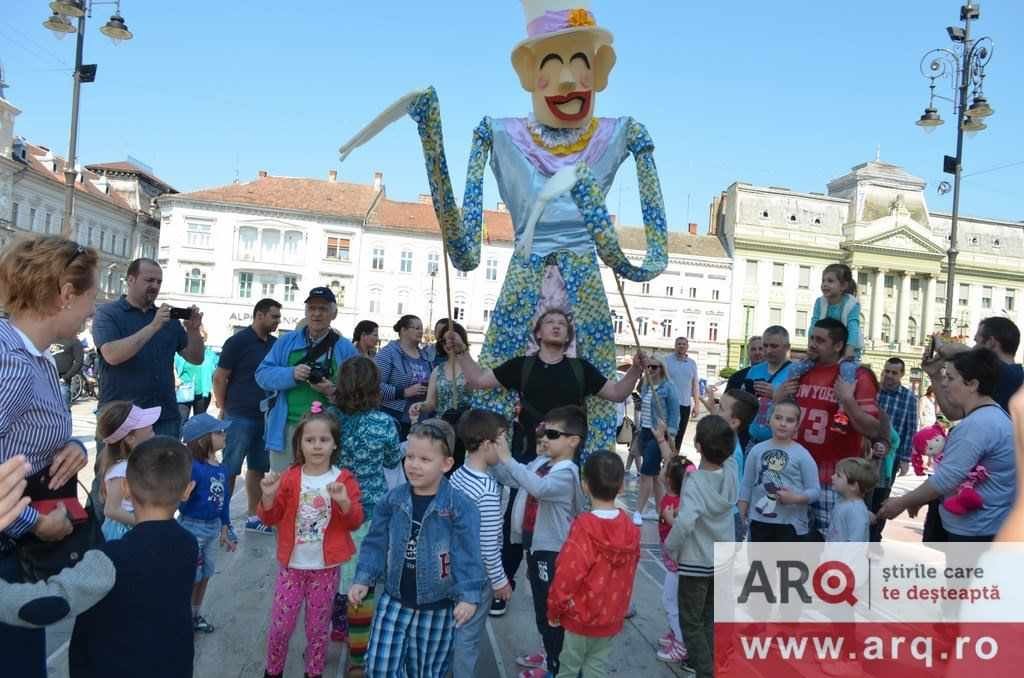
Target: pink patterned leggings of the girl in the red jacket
point(317, 588)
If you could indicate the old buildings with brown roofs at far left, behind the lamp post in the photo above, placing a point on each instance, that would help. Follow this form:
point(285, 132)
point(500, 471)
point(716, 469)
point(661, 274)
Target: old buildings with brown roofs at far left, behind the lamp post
point(113, 210)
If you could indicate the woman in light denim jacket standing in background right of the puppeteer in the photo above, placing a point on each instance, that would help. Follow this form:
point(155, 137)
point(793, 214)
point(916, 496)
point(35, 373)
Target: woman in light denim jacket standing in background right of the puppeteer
point(658, 403)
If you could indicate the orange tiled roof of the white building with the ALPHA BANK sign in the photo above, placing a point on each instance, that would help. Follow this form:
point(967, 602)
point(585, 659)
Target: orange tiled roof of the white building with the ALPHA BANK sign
point(334, 198)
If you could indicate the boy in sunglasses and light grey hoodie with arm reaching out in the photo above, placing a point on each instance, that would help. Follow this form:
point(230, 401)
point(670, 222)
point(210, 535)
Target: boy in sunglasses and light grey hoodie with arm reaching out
point(550, 498)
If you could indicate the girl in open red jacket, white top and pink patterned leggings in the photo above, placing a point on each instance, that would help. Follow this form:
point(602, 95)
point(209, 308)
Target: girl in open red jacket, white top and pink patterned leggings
point(319, 508)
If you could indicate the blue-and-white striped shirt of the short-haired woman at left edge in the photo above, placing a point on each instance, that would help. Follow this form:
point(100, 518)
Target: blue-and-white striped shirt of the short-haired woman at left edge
point(34, 416)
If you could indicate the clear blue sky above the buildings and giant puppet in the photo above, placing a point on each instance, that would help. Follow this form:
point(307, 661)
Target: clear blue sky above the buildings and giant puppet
point(777, 94)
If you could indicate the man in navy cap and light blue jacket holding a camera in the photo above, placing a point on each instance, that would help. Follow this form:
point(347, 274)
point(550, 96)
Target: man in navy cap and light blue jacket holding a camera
point(301, 369)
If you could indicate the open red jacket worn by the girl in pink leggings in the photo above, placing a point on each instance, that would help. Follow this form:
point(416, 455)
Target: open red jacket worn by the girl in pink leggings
point(338, 544)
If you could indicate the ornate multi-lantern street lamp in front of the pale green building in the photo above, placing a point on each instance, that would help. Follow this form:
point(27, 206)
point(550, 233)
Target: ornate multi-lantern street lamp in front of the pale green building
point(964, 65)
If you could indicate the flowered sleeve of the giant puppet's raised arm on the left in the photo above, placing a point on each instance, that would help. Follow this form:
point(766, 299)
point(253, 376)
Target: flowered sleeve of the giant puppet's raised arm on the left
point(461, 229)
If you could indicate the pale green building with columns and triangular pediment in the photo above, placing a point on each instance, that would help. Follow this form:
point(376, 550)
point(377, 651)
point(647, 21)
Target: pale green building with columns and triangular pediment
point(876, 220)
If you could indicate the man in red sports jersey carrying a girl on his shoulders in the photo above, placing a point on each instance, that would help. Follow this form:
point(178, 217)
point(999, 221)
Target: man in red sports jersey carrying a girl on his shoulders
point(820, 394)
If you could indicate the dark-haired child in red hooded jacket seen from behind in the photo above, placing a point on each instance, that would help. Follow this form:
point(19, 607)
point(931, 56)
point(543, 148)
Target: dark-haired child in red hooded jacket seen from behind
point(594, 573)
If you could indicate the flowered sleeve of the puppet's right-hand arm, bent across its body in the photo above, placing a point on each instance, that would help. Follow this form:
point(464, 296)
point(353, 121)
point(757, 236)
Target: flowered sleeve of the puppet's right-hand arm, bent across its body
point(589, 198)
